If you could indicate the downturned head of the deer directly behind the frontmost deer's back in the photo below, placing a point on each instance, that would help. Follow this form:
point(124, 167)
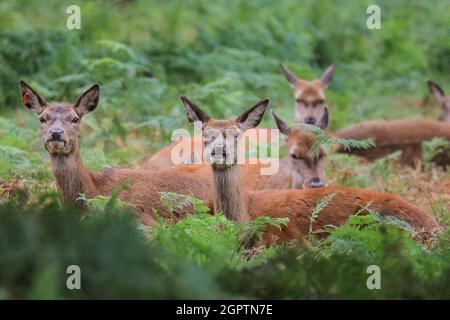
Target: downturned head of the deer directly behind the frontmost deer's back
point(307, 171)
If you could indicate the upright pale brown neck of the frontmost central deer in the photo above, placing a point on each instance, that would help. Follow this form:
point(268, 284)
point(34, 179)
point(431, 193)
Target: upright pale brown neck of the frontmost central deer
point(229, 195)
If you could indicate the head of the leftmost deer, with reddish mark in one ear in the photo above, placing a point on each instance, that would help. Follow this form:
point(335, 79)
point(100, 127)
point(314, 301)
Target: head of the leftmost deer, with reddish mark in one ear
point(59, 123)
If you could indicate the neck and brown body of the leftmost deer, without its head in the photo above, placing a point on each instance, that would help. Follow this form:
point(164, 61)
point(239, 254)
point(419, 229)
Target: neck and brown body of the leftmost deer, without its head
point(143, 191)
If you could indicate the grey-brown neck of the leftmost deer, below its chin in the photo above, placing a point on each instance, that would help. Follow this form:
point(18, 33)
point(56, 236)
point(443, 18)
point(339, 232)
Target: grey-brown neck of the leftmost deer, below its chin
point(72, 177)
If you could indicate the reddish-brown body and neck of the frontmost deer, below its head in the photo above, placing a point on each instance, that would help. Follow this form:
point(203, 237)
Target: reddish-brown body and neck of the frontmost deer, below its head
point(297, 205)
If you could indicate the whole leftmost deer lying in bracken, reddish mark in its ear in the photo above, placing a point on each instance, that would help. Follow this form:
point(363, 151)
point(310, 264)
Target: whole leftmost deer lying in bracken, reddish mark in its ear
point(59, 127)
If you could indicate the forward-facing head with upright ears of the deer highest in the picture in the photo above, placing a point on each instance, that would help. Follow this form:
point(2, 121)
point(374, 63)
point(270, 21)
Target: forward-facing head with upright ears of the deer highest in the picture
point(310, 105)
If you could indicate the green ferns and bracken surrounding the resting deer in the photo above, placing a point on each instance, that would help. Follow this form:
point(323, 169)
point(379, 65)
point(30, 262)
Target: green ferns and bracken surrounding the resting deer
point(224, 55)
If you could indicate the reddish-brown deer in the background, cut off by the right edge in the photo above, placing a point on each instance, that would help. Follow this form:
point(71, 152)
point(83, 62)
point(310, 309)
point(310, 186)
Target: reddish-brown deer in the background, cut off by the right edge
point(402, 135)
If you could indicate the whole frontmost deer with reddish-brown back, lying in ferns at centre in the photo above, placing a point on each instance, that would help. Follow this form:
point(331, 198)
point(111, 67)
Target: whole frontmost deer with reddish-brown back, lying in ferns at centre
point(239, 204)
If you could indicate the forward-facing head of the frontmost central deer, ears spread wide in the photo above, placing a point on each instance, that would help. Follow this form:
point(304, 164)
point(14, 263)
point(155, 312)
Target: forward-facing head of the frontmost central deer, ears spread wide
point(220, 137)
